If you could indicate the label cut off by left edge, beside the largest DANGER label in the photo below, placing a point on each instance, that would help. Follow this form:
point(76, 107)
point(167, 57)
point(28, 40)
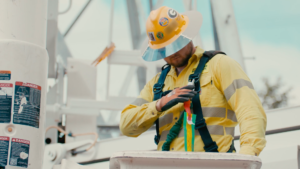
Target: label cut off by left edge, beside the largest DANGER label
point(6, 92)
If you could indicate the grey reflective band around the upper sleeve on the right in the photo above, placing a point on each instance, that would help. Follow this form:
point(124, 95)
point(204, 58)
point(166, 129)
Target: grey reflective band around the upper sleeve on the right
point(236, 84)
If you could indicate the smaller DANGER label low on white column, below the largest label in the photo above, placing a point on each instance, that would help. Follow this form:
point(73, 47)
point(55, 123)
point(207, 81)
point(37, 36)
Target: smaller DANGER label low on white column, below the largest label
point(19, 152)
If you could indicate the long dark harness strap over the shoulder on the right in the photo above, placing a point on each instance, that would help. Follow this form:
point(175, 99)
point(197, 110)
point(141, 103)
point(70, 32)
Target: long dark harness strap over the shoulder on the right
point(209, 144)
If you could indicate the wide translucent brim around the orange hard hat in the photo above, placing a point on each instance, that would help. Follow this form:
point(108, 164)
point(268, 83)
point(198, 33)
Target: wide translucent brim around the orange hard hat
point(150, 53)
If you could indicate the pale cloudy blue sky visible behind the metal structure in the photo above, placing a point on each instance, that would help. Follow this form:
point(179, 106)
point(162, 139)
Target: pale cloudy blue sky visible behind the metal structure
point(268, 30)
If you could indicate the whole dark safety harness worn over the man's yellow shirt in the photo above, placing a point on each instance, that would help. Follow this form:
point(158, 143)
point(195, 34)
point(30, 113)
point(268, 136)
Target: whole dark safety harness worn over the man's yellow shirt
point(200, 125)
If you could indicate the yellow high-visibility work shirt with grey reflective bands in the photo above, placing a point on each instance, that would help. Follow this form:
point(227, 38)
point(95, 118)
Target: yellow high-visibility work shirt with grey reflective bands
point(227, 98)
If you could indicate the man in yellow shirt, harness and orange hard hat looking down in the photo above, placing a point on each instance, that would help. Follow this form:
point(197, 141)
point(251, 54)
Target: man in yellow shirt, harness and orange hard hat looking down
point(222, 98)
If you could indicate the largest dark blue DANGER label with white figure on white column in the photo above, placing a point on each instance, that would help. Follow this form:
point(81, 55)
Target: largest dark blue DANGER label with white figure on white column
point(27, 104)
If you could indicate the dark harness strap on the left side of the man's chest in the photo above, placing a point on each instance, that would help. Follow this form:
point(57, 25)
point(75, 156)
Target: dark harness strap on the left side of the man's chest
point(158, 93)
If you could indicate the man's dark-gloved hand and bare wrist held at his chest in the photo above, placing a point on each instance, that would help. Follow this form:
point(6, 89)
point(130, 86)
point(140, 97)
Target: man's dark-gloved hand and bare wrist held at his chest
point(176, 96)
